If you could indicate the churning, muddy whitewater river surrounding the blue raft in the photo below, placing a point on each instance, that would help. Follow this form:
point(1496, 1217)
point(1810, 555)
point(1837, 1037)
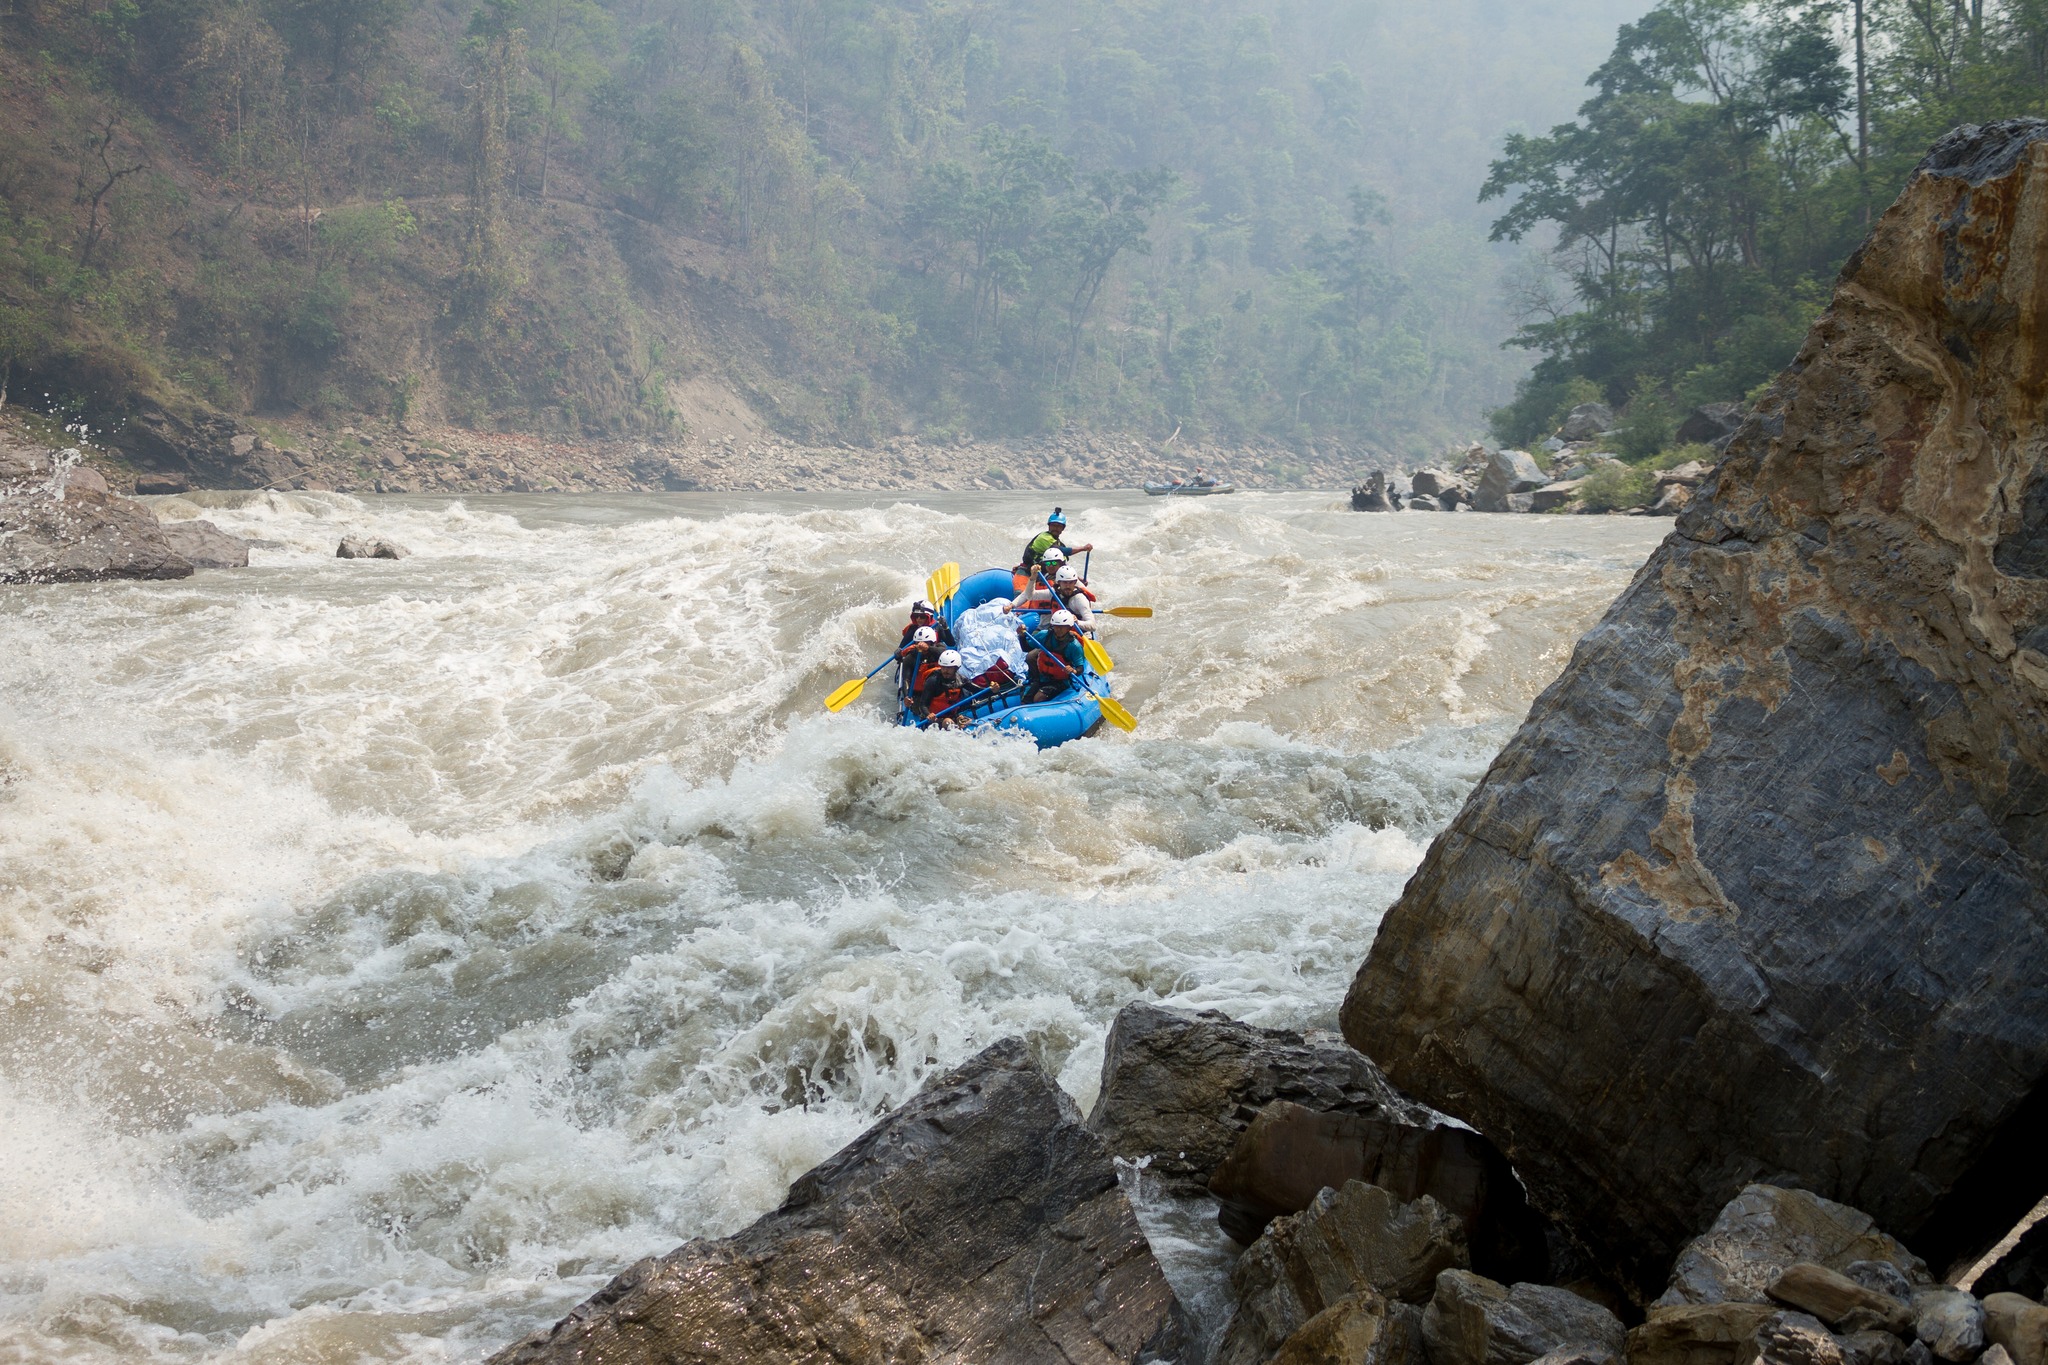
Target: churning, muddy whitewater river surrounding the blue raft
point(390, 953)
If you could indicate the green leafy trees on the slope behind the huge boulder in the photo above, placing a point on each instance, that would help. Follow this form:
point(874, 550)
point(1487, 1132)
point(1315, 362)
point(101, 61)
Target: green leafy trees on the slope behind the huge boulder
point(1727, 163)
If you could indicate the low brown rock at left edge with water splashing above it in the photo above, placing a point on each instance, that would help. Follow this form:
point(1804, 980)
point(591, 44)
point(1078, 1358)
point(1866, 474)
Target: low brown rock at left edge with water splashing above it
point(60, 525)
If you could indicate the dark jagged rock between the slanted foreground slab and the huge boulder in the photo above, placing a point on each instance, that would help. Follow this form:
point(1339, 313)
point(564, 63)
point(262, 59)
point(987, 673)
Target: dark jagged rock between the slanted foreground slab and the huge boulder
point(1179, 1088)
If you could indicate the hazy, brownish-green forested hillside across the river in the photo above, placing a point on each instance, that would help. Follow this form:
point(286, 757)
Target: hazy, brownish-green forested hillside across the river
point(1246, 220)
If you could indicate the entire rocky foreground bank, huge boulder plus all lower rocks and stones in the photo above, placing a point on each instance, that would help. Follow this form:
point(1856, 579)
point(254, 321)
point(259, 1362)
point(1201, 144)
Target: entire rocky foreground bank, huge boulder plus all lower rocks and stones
point(1717, 1016)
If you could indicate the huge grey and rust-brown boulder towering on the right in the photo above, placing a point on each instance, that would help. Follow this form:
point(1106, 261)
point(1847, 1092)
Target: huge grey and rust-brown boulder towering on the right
point(1758, 889)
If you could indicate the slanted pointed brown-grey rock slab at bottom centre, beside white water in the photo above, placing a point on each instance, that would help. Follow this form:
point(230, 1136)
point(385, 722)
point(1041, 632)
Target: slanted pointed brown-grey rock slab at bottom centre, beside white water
point(978, 1223)
